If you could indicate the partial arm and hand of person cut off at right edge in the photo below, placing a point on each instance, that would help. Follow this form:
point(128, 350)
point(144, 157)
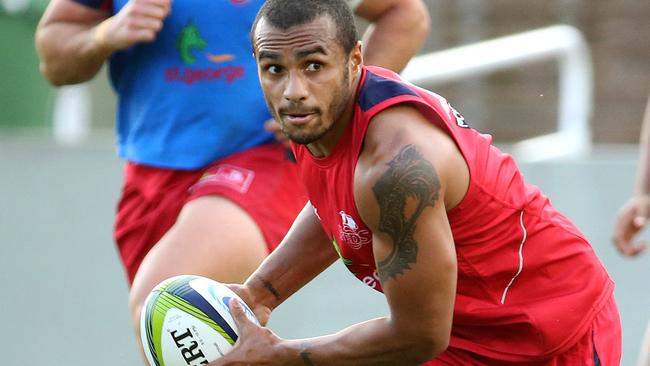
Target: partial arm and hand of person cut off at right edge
point(633, 215)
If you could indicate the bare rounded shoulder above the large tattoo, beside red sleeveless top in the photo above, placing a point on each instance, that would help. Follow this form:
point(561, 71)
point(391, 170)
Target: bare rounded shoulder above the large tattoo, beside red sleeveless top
point(403, 143)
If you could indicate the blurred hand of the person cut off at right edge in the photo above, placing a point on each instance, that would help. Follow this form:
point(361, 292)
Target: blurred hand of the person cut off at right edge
point(631, 219)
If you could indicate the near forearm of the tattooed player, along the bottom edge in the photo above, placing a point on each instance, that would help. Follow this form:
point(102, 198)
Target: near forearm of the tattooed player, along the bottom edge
point(375, 342)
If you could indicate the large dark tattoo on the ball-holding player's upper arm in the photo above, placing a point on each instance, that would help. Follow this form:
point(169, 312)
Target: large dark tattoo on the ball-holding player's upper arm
point(408, 186)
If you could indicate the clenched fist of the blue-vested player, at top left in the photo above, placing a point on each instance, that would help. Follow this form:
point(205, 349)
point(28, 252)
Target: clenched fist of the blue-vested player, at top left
point(138, 21)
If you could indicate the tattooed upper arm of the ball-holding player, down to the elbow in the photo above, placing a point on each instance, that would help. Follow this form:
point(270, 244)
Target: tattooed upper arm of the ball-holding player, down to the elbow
point(412, 242)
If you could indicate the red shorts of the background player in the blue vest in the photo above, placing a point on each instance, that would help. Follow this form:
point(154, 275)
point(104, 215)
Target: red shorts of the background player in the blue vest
point(263, 181)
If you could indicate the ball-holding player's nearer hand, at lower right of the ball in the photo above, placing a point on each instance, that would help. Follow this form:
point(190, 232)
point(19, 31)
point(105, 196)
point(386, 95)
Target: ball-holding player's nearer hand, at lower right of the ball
point(255, 346)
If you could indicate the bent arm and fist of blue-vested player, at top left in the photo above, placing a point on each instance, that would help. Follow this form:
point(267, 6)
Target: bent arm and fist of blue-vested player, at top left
point(74, 40)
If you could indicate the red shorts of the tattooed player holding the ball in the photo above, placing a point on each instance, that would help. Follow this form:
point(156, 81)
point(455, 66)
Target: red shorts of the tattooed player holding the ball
point(600, 346)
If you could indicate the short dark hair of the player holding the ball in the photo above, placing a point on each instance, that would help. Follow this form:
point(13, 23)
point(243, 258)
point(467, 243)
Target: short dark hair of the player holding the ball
point(284, 14)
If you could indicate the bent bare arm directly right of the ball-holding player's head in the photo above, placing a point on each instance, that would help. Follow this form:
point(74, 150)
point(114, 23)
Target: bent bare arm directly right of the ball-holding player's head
point(396, 35)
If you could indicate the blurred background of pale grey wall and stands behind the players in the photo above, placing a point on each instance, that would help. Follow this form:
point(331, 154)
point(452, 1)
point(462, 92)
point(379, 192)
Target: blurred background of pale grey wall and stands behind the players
point(65, 293)
